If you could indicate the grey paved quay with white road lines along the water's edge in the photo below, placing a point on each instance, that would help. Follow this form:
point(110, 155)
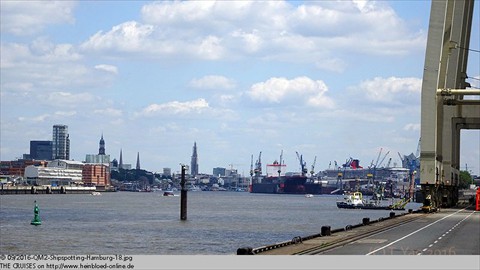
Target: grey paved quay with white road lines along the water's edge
point(405, 234)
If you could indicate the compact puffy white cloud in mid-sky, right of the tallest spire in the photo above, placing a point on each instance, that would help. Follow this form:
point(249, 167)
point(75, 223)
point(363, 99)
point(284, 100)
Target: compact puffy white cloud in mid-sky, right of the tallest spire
point(298, 91)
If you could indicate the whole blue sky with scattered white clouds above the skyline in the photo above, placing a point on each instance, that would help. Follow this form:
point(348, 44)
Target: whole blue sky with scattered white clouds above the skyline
point(325, 79)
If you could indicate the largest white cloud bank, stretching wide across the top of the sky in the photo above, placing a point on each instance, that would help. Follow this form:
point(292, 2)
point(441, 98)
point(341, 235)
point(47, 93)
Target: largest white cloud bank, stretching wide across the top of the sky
point(313, 32)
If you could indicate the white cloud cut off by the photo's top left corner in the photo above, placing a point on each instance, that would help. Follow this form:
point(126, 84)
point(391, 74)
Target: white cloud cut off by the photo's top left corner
point(24, 18)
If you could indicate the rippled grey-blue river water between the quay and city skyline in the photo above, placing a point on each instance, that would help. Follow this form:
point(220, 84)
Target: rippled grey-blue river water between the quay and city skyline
point(149, 223)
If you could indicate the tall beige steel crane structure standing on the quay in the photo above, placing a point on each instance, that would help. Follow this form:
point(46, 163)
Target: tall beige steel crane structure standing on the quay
point(447, 105)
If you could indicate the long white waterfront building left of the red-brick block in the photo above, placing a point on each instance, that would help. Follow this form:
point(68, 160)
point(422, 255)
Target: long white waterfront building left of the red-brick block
point(57, 173)
